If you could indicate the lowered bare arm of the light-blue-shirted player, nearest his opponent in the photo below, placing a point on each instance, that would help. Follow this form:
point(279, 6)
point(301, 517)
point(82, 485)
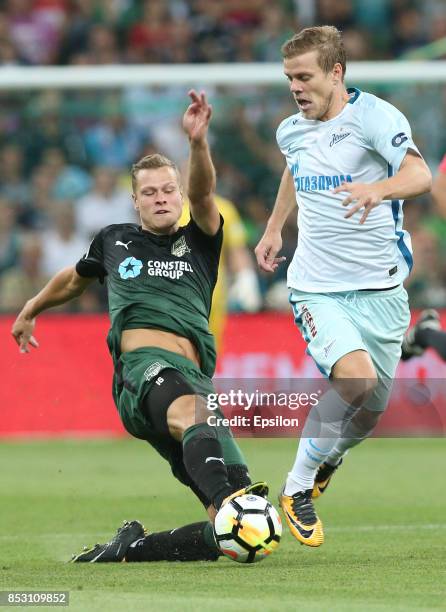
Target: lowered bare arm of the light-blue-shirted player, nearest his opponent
point(271, 241)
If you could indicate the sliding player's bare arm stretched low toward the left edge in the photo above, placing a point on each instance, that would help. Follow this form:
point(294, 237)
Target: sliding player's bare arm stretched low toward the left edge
point(63, 287)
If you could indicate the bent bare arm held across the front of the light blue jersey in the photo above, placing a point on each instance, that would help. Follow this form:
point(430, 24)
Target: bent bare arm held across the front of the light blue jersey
point(412, 179)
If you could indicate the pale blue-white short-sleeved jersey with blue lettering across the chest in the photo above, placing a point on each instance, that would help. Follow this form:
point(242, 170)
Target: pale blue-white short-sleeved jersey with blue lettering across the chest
point(365, 143)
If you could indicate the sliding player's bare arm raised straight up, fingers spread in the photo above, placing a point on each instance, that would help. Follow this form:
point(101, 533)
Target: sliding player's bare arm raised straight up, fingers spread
point(201, 184)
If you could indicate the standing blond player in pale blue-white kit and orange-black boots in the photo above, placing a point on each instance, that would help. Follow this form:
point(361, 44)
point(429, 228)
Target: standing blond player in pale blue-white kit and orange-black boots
point(350, 163)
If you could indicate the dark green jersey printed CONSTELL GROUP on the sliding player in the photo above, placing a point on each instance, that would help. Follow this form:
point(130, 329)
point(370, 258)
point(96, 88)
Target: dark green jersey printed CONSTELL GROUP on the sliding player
point(158, 282)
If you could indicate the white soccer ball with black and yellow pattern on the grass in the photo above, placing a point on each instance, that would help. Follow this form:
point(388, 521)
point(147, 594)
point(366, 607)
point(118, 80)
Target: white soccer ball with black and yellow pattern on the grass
point(247, 529)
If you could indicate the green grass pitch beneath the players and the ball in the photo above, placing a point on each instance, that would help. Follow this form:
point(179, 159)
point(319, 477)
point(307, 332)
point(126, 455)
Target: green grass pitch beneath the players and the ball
point(384, 518)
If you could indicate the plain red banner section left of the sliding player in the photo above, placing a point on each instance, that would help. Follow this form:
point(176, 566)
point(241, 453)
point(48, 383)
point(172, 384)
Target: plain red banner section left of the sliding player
point(62, 387)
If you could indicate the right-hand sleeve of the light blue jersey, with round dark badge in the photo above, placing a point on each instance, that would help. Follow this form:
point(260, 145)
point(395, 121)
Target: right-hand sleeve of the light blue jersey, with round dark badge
point(387, 131)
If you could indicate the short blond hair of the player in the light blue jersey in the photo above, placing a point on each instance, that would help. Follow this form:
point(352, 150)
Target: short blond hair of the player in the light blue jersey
point(327, 40)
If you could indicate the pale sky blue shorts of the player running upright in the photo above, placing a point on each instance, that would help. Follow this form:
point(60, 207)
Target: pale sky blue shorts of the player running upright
point(334, 324)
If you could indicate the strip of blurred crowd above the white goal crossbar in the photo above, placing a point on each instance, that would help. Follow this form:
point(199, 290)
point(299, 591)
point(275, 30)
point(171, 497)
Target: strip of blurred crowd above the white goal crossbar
point(175, 31)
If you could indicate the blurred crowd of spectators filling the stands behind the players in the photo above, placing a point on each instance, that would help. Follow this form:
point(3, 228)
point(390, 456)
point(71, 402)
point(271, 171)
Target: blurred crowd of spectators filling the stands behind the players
point(65, 156)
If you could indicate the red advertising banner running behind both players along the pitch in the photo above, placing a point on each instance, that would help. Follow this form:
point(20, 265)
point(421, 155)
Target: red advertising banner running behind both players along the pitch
point(64, 387)
